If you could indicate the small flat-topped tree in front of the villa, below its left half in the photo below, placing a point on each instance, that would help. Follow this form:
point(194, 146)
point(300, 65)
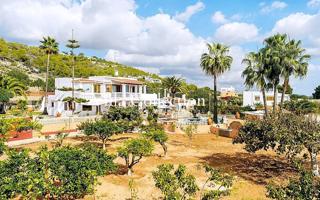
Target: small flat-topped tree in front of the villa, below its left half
point(103, 129)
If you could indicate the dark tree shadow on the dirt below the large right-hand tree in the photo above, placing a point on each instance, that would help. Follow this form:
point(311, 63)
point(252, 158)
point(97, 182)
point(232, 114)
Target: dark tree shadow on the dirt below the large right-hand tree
point(256, 168)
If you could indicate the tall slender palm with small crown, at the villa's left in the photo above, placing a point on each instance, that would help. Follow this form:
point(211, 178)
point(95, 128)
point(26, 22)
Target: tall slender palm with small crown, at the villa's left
point(49, 46)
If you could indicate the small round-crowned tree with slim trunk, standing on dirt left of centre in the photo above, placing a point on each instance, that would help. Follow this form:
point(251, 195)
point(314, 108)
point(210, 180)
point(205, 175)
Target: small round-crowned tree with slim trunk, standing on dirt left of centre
point(134, 150)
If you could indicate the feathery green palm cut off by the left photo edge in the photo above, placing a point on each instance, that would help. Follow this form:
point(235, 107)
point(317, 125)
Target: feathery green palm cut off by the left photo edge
point(10, 87)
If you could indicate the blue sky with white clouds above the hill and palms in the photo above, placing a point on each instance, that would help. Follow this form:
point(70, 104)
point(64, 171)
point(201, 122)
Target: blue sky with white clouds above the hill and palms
point(168, 36)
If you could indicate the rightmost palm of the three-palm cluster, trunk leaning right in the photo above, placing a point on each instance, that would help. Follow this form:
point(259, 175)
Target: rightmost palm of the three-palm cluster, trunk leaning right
point(295, 63)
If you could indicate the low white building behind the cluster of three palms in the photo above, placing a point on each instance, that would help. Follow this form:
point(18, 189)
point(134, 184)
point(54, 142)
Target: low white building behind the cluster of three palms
point(251, 98)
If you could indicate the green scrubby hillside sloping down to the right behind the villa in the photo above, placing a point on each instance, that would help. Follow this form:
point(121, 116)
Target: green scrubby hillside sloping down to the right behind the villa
point(32, 61)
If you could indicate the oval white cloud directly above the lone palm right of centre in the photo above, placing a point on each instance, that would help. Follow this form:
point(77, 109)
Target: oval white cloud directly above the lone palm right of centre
point(236, 33)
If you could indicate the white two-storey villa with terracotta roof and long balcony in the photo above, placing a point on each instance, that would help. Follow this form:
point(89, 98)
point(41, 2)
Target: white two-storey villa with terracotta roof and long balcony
point(100, 92)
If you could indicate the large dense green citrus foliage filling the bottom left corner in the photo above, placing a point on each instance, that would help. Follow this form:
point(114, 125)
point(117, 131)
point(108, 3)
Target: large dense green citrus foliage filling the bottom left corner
point(63, 173)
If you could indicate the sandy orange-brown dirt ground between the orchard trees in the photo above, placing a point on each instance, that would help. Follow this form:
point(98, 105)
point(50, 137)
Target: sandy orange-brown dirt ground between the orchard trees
point(252, 171)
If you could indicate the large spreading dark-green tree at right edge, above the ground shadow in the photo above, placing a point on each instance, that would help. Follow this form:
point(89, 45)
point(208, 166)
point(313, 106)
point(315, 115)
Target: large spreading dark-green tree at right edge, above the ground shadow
point(288, 134)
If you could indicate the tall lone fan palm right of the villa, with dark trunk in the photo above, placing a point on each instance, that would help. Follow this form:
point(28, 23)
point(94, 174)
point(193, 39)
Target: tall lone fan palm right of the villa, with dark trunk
point(214, 63)
